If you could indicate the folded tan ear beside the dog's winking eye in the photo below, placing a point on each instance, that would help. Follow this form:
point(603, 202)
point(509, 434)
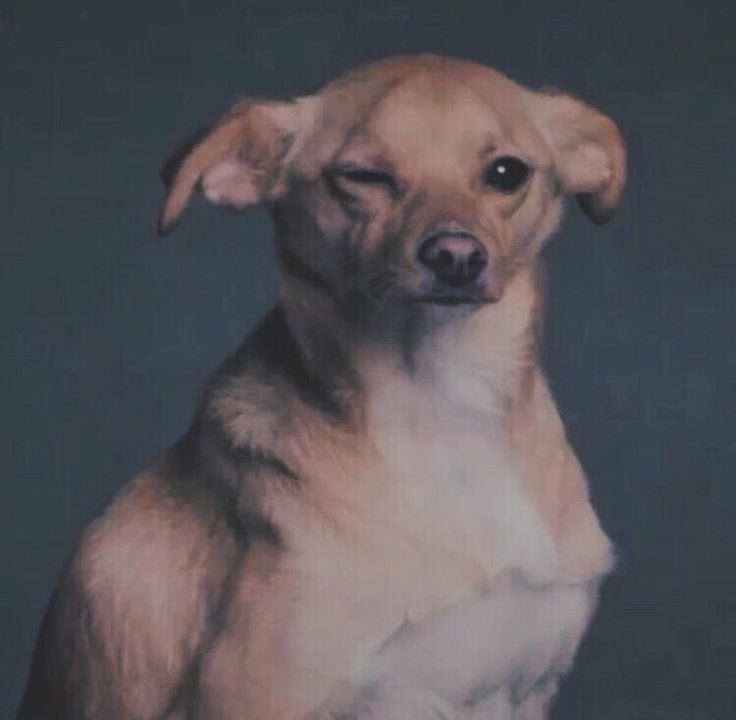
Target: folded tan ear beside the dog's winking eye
point(241, 160)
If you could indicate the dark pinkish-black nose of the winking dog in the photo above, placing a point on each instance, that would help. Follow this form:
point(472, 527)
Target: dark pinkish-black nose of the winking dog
point(456, 259)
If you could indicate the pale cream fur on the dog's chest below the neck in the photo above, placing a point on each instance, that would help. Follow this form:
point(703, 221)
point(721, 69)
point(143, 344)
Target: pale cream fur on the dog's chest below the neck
point(445, 575)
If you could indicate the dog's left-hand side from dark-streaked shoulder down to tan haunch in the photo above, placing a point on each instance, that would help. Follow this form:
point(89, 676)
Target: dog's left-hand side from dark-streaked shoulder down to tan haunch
point(150, 579)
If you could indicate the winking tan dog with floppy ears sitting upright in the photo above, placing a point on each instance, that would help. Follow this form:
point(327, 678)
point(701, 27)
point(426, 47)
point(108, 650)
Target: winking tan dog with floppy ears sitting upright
point(375, 512)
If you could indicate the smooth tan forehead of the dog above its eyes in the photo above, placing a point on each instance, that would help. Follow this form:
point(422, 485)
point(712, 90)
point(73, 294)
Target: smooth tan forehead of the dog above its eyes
point(410, 102)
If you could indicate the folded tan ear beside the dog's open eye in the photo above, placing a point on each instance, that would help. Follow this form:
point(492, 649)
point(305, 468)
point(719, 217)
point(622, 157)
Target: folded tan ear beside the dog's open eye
point(589, 152)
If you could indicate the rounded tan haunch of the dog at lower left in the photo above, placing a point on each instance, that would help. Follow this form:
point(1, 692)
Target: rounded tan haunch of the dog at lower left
point(134, 603)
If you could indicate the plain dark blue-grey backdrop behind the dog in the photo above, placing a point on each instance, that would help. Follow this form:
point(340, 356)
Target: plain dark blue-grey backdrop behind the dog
point(108, 333)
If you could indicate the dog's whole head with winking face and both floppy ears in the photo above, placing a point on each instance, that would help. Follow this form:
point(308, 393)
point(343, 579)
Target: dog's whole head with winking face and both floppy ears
point(414, 183)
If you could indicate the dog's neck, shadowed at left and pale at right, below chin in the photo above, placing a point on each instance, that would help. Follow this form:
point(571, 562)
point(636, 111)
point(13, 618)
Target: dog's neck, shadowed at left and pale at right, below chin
point(475, 362)
